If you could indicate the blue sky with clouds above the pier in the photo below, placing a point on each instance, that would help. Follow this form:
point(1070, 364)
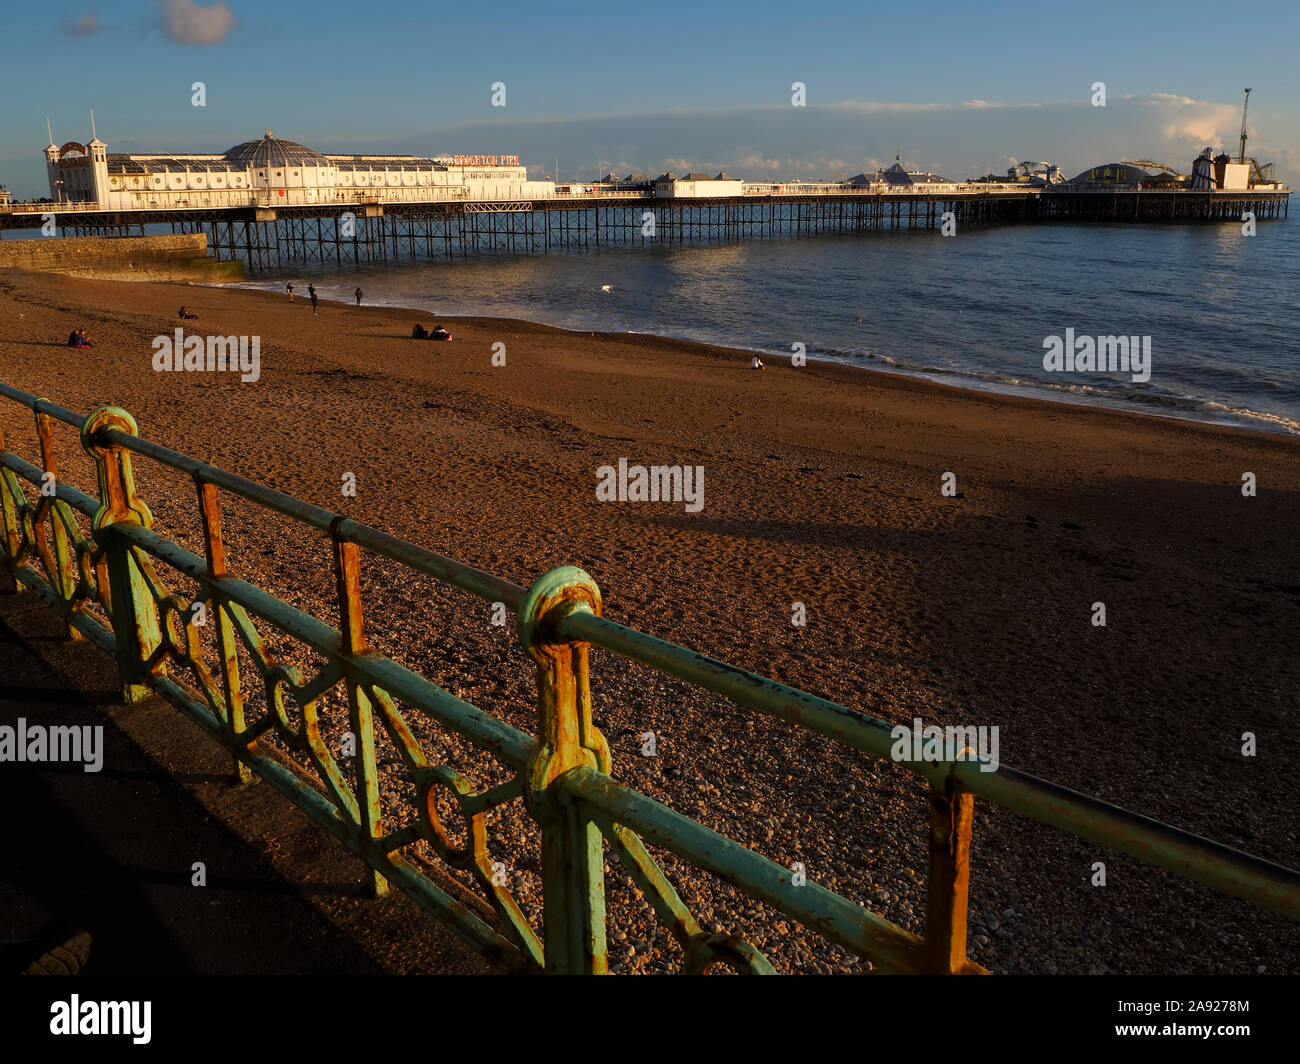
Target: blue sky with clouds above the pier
point(960, 89)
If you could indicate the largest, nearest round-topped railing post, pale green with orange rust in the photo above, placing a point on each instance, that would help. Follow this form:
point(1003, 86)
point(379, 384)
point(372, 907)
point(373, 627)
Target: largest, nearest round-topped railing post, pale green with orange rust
point(573, 849)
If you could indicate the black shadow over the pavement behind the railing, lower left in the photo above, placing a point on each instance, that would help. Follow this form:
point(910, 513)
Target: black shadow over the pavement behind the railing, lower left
point(114, 853)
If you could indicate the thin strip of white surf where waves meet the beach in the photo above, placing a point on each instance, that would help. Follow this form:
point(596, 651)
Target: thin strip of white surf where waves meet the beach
point(972, 382)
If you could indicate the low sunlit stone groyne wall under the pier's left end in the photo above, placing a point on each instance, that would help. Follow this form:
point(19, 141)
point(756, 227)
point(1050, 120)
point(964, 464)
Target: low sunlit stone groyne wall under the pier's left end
point(174, 258)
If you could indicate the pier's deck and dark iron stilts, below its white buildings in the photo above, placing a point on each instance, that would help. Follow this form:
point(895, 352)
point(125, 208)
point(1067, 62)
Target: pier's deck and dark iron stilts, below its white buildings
point(268, 237)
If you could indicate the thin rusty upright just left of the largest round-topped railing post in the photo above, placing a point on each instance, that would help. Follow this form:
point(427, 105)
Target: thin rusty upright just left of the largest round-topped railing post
point(348, 573)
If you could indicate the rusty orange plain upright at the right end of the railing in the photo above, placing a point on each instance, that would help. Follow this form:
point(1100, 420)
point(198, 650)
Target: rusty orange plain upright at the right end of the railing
point(951, 815)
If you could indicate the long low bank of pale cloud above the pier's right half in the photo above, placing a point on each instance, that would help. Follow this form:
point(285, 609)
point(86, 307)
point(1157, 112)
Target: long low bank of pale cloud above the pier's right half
point(956, 140)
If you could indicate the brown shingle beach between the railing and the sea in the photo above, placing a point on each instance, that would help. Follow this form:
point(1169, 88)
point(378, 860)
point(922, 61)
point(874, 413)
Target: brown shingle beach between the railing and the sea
point(822, 486)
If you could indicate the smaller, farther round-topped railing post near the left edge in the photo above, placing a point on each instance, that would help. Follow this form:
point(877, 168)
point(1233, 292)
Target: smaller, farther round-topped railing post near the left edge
point(129, 602)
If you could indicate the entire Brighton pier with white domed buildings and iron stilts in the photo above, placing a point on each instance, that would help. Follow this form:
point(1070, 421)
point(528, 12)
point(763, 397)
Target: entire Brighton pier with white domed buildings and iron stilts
point(272, 202)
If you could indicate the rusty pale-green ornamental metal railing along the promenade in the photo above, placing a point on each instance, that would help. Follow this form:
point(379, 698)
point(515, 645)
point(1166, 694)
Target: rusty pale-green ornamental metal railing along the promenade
point(562, 775)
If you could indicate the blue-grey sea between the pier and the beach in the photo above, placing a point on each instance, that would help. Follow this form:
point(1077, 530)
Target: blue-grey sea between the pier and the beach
point(976, 310)
